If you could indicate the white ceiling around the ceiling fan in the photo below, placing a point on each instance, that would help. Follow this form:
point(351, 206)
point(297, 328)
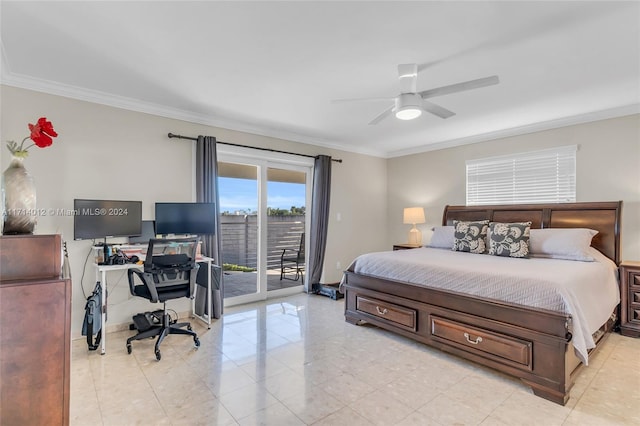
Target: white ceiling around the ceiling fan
point(272, 68)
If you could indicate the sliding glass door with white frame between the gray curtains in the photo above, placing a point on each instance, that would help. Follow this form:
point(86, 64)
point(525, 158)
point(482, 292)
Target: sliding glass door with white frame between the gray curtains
point(264, 220)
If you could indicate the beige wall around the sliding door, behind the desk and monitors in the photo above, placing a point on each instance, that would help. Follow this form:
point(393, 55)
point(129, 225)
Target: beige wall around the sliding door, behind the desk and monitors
point(110, 153)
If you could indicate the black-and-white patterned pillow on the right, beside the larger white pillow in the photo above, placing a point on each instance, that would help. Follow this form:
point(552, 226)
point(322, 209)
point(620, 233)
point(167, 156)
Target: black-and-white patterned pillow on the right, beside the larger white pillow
point(509, 239)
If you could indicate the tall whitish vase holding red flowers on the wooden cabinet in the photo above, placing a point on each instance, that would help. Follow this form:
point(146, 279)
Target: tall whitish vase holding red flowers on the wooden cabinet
point(18, 199)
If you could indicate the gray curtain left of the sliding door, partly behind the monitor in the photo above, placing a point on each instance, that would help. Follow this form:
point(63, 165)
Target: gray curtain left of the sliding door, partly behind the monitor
point(207, 192)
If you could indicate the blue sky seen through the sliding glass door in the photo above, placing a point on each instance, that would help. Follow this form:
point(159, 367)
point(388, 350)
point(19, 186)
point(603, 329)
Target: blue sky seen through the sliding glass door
point(242, 194)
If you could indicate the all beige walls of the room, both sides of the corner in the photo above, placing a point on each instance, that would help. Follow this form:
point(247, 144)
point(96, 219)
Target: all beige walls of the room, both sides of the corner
point(110, 153)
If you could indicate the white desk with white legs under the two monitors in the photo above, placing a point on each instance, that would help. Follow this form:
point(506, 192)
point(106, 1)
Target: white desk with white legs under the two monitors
point(101, 275)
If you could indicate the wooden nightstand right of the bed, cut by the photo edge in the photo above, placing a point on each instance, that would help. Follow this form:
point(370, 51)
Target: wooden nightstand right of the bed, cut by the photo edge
point(630, 299)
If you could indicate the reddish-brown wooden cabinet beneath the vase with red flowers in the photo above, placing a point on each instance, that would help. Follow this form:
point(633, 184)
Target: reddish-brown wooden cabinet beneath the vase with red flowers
point(35, 332)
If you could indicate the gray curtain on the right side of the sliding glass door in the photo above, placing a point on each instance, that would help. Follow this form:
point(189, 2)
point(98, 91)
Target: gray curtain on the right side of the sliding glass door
point(321, 194)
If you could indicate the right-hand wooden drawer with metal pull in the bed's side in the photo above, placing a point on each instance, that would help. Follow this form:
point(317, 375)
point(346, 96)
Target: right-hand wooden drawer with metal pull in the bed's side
point(505, 349)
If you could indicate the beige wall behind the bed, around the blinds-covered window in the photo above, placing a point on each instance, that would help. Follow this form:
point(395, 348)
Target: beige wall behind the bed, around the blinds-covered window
point(608, 169)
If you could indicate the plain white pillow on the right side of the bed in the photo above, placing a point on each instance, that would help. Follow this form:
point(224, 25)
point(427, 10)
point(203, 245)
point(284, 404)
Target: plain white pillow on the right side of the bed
point(562, 243)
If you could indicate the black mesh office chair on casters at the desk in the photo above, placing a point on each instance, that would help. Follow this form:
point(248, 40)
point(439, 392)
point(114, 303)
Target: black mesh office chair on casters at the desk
point(170, 271)
